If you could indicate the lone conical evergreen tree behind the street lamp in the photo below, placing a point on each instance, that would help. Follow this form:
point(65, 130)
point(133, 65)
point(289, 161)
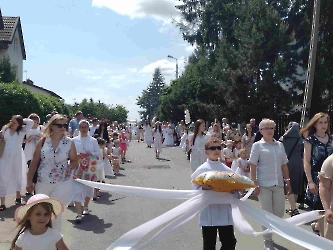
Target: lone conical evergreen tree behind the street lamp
point(149, 101)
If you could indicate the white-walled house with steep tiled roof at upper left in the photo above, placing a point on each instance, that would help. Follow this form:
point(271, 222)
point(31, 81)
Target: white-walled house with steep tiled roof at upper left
point(12, 43)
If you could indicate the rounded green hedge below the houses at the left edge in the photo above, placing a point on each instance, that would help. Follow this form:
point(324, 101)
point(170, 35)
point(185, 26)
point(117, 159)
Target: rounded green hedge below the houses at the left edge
point(16, 99)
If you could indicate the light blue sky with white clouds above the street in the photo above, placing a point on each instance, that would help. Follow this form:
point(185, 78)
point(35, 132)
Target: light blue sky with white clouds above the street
point(104, 49)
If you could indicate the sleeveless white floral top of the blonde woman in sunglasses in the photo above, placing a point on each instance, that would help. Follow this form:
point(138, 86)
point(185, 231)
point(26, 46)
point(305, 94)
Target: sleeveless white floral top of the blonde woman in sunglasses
point(53, 167)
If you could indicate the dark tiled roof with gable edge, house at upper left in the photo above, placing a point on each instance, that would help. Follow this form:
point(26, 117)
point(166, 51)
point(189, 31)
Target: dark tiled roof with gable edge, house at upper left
point(7, 34)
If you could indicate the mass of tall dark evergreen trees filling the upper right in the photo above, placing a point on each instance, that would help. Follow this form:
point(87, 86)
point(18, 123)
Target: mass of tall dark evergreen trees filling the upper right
point(251, 59)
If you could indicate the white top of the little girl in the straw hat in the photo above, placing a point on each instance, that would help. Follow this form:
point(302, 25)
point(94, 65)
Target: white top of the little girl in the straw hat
point(45, 241)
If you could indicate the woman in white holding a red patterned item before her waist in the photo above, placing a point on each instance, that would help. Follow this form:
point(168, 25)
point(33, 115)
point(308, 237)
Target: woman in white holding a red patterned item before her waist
point(84, 144)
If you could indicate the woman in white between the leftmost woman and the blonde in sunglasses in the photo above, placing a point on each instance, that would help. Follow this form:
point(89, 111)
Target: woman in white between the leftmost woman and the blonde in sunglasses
point(32, 138)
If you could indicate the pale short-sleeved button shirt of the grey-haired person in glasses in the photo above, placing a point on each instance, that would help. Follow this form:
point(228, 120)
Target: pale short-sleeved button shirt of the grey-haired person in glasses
point(269, 160)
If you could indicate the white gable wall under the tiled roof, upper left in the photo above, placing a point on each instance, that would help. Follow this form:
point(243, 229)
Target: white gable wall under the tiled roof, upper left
point(14, 53)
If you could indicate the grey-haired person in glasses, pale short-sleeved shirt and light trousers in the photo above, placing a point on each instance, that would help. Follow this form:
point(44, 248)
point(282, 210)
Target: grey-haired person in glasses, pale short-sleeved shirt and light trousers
point(268, 162)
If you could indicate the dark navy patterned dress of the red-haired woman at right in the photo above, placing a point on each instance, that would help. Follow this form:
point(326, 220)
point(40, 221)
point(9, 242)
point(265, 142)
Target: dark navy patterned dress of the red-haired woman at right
point(319, 153)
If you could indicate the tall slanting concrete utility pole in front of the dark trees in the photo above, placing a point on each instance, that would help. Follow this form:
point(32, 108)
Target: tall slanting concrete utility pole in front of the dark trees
point(311, 64)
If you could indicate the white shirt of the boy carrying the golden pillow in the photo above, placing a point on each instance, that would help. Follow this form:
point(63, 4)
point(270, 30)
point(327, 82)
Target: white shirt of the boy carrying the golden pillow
point(215, 214)
